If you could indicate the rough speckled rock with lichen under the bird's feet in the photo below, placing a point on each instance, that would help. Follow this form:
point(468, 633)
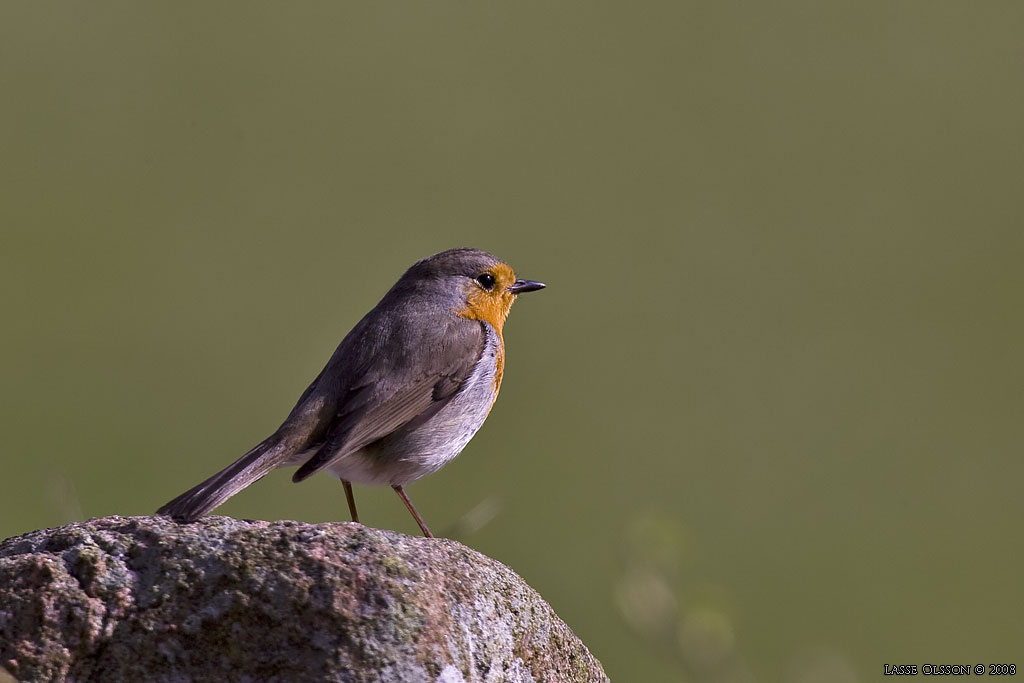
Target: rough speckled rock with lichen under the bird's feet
point(146, 600)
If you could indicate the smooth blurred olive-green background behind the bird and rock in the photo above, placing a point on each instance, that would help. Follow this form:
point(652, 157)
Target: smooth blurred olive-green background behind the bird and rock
point(764, 425)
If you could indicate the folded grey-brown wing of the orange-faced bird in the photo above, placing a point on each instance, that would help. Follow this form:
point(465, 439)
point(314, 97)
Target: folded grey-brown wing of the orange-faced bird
point(382, 385)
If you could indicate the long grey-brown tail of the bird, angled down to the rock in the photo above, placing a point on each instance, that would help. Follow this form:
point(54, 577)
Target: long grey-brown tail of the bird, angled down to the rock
point(202, 499)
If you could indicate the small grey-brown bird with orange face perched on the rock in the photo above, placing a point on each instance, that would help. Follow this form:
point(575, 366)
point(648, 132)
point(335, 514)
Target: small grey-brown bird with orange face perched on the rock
point(402, 396)
